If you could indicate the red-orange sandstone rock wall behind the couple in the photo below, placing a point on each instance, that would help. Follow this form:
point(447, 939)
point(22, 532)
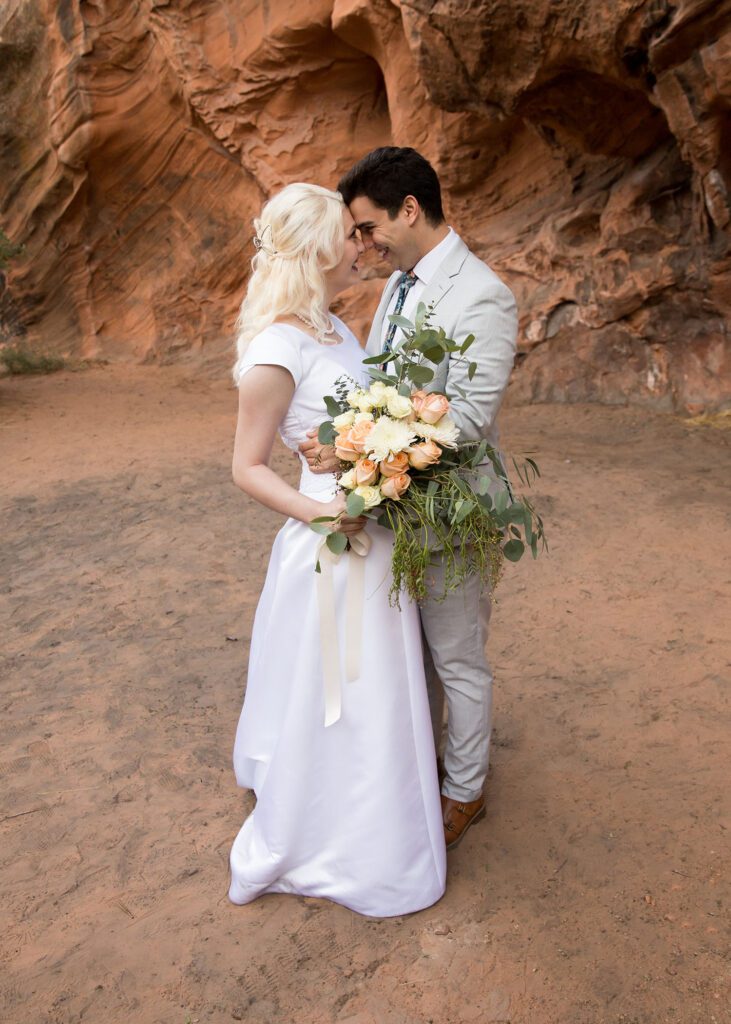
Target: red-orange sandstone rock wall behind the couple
point(585, 149)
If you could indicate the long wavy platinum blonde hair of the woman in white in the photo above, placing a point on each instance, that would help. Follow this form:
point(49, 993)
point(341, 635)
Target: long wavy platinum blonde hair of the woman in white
point(299, 238)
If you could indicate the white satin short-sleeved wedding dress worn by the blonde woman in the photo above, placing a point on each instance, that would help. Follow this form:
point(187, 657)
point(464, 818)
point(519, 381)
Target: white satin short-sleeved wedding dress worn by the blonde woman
point(350, 813)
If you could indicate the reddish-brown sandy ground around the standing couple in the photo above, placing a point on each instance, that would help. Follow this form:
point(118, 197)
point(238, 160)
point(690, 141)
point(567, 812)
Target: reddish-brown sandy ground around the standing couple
point(596, 892)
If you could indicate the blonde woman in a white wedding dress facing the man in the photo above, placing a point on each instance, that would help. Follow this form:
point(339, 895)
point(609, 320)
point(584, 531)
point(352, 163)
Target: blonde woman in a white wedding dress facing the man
point(349, 810)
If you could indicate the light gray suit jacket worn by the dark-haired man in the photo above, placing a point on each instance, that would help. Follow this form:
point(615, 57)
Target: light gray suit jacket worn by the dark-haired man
point(468, 298)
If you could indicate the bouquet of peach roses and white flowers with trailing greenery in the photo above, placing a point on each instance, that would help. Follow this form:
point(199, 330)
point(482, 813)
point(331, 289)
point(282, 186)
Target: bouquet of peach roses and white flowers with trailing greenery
point(403, 464)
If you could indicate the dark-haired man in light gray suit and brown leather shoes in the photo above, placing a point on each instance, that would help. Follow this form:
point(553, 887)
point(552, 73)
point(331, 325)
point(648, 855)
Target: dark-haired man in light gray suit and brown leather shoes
point(396, 200)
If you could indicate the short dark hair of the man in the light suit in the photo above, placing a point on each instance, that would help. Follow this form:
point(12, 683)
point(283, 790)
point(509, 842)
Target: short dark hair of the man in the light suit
point(388, 176)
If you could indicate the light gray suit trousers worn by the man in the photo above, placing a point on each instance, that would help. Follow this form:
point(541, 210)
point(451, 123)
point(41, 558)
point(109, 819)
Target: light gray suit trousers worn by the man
point(457, 670)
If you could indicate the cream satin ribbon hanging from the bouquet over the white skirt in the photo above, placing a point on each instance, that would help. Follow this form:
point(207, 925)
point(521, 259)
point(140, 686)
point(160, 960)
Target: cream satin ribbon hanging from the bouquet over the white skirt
point(355, 596)
